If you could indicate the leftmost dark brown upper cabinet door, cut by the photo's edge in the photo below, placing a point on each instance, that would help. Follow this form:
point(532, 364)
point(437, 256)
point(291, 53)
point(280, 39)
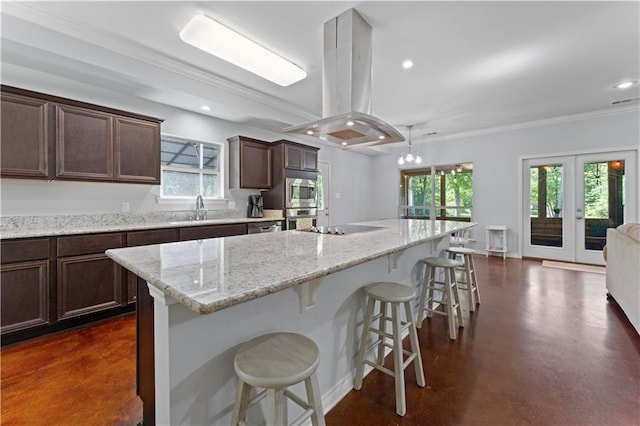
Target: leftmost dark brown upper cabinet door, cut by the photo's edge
point(25, 137)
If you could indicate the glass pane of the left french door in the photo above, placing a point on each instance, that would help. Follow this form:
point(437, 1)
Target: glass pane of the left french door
point(546, 205)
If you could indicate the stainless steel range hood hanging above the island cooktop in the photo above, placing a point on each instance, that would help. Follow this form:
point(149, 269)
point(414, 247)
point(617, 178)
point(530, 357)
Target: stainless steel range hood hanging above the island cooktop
point(346, 88)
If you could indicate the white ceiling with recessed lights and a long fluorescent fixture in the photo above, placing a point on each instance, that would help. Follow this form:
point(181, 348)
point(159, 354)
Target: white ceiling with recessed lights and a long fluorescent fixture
point(478, 65)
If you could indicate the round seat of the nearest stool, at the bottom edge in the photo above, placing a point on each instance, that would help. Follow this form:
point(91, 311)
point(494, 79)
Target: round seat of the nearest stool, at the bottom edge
point(276, 360)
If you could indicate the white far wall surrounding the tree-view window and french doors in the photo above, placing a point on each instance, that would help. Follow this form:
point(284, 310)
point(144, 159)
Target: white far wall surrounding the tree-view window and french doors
point(495, 160)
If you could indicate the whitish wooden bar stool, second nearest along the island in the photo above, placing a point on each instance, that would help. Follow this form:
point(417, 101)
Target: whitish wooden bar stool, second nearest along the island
point(393, 294)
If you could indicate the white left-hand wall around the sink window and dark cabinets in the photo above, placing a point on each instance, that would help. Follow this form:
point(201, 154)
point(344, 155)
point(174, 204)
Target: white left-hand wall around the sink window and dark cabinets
point(35, 197)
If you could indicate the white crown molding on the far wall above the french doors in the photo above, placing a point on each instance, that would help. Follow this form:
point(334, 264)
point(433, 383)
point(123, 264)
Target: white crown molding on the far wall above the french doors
point(530, 124)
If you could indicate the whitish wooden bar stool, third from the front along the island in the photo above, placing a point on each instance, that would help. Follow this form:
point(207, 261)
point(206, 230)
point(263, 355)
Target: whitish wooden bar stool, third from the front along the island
point(451, 298)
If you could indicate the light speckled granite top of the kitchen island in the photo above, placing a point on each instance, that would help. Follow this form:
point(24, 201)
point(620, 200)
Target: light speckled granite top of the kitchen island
point(213, 274)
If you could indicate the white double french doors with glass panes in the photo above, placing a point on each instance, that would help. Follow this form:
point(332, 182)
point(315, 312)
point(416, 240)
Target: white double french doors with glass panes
point(570, 201)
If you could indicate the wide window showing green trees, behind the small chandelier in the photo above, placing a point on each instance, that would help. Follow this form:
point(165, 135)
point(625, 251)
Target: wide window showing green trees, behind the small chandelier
point(441, 192)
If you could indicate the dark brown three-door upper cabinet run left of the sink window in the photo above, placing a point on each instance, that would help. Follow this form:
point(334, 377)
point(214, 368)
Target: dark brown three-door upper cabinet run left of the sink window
point(91, 142)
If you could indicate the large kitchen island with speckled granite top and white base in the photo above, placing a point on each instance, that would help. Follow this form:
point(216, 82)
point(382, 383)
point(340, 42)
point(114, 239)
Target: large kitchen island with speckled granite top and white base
point(209, 296)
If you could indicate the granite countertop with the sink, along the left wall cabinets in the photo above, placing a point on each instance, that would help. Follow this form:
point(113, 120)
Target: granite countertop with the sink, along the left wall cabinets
point(51, 226)
